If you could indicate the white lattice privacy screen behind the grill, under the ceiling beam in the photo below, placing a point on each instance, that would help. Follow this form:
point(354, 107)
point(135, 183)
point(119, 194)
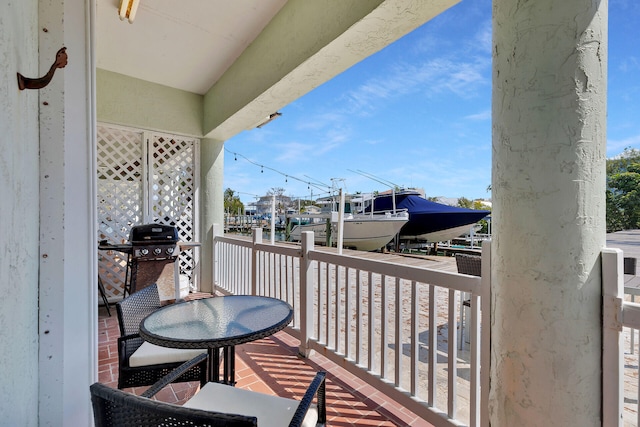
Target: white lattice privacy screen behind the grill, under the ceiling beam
point(125, 201)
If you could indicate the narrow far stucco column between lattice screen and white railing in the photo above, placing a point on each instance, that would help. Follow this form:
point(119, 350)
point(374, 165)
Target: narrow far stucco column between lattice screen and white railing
point(212, 204)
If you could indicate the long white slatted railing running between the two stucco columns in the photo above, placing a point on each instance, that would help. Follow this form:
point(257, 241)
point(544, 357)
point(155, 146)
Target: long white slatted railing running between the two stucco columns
point(394, 326)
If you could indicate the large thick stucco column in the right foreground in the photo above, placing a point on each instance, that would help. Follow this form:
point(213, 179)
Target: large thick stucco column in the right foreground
point(549, 141)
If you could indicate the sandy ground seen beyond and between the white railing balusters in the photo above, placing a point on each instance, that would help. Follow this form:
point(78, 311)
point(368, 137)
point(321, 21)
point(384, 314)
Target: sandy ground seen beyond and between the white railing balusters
point(628, 241)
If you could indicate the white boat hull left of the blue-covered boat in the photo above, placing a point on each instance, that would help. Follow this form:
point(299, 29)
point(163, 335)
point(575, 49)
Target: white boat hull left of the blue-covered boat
point(363, 234)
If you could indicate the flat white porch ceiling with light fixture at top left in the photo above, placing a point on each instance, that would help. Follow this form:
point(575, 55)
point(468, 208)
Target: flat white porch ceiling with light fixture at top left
point(184, 44)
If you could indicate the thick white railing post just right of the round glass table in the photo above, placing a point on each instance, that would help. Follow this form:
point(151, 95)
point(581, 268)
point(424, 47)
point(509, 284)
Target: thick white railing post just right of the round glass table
point(306, 293)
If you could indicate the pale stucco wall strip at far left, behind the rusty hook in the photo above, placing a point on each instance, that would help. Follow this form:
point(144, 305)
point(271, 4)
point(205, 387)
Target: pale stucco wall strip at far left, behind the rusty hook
point(18, 215)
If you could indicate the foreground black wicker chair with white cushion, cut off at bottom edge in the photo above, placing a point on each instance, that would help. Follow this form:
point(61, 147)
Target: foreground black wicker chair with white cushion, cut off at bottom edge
point(113, 407)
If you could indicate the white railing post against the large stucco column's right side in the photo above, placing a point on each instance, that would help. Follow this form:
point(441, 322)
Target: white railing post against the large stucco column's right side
point(612, 338)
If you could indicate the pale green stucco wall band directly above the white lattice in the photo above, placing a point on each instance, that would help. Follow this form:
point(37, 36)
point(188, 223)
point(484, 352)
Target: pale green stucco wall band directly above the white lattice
point(132, 102)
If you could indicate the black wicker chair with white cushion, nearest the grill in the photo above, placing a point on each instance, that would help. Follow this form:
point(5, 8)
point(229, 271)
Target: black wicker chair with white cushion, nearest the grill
point(131, 311)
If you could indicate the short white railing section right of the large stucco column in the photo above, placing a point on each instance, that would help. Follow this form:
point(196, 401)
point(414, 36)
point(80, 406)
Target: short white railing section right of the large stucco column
point(618, 377)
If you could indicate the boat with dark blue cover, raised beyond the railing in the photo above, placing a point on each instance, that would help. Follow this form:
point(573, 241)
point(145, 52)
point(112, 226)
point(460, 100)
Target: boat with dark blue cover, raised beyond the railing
point(428, 221)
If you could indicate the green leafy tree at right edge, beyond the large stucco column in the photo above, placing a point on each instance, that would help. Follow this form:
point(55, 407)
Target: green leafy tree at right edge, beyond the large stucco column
point(623, 191)
